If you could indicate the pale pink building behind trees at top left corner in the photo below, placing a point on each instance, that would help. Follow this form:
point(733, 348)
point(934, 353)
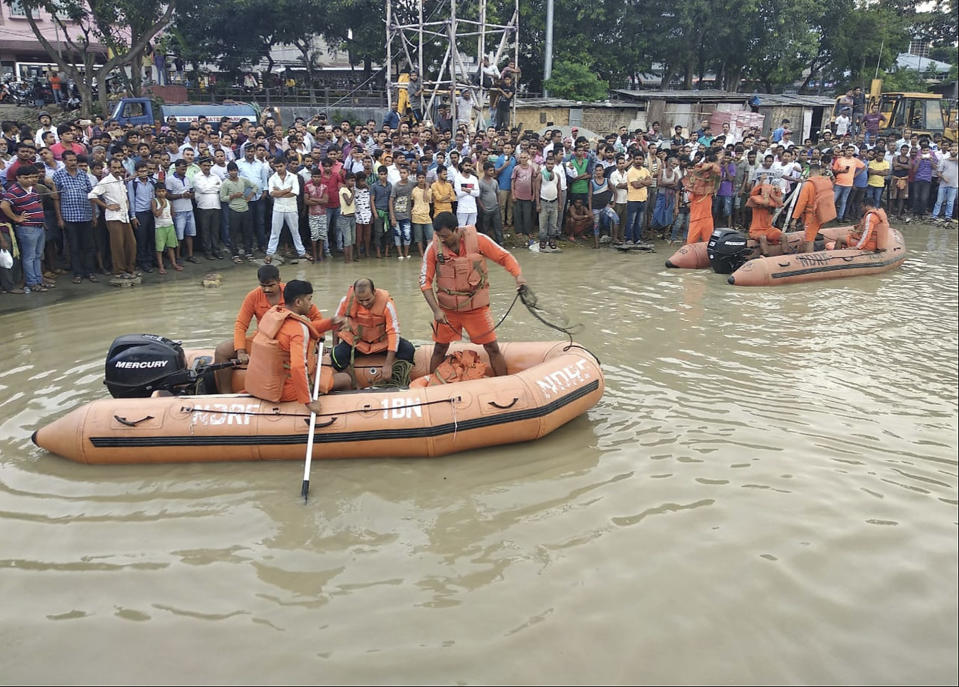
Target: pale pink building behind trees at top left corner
point(21, 54)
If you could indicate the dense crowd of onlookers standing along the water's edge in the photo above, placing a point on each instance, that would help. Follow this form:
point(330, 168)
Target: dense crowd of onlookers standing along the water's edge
point(92, 197)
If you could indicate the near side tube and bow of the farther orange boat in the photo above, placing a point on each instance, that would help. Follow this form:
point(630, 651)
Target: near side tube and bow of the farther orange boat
point(826, 264)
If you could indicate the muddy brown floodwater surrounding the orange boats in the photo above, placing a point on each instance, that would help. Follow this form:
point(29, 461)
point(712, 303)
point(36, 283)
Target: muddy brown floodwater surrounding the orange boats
point(767, 493)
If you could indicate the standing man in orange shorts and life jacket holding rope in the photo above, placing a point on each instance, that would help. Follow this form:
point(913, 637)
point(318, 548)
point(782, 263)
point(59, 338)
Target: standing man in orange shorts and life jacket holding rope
point(457, 258)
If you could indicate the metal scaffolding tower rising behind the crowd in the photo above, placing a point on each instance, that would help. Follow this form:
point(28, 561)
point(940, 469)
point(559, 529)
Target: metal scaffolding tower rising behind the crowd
point(452, 74)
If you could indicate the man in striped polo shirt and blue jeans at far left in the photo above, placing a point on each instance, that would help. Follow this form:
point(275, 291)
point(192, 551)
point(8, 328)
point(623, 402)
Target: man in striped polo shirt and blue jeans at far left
point(23, 207)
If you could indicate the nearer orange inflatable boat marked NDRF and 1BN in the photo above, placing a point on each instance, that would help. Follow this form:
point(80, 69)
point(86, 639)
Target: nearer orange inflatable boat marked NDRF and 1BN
point(547, 385)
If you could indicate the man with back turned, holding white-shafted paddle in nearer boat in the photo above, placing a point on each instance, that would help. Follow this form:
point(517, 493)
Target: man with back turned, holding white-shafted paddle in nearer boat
point(283, 355)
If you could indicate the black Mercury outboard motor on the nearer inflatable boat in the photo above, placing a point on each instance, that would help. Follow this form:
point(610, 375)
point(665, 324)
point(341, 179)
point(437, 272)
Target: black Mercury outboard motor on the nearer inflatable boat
point(139, 364)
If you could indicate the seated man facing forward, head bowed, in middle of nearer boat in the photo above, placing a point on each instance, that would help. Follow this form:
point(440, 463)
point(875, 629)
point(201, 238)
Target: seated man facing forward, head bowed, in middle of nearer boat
point(370, 326)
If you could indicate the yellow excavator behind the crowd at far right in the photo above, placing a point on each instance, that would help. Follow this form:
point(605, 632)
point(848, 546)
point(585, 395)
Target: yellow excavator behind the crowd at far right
point(921, 113)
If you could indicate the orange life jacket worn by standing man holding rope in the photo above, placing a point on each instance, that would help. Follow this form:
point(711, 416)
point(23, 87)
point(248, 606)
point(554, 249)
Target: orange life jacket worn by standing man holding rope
point(462, 281)
